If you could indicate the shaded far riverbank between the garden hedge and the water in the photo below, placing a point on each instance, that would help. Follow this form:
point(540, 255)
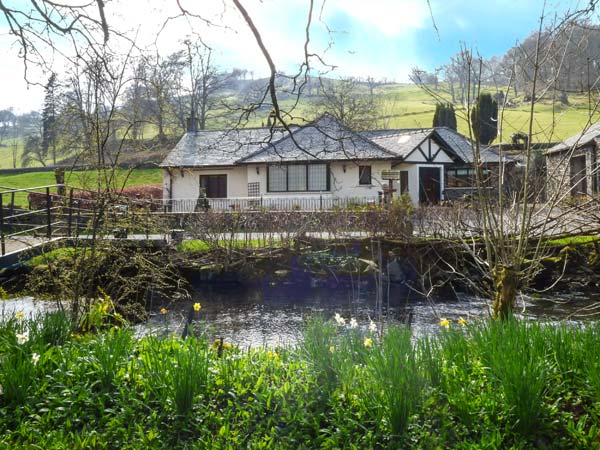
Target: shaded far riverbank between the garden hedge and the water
point(138, 276)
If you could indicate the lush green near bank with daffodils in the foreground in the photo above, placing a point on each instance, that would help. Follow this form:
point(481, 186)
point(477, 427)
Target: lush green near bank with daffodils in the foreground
point(489, 385)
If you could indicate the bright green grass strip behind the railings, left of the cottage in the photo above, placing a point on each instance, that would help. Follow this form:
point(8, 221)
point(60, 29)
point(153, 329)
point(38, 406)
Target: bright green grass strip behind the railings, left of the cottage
point(81, 179)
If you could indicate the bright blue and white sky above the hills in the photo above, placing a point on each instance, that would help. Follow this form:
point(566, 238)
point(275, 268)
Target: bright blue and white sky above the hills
point(383, 39)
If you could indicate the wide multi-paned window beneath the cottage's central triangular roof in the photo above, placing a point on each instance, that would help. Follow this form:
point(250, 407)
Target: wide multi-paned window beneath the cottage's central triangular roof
point(298, 178)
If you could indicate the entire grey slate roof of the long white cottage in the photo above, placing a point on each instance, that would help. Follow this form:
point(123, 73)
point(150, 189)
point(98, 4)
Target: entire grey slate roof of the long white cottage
point(323, 139)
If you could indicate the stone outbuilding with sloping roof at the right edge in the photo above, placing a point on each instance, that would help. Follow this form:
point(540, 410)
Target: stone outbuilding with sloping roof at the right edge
point(572, 165)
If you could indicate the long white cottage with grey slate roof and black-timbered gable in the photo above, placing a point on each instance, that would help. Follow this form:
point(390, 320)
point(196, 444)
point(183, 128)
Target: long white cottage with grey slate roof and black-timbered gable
point(323, 162)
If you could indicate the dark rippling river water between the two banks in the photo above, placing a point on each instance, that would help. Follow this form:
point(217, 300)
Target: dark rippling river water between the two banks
point(275, 315)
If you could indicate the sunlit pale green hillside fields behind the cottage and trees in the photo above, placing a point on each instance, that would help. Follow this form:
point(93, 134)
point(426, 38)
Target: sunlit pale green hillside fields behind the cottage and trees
point(408, 106)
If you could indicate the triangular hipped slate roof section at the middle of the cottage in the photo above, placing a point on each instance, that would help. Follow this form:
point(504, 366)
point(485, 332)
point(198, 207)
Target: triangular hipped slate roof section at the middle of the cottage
point(324, 139)
